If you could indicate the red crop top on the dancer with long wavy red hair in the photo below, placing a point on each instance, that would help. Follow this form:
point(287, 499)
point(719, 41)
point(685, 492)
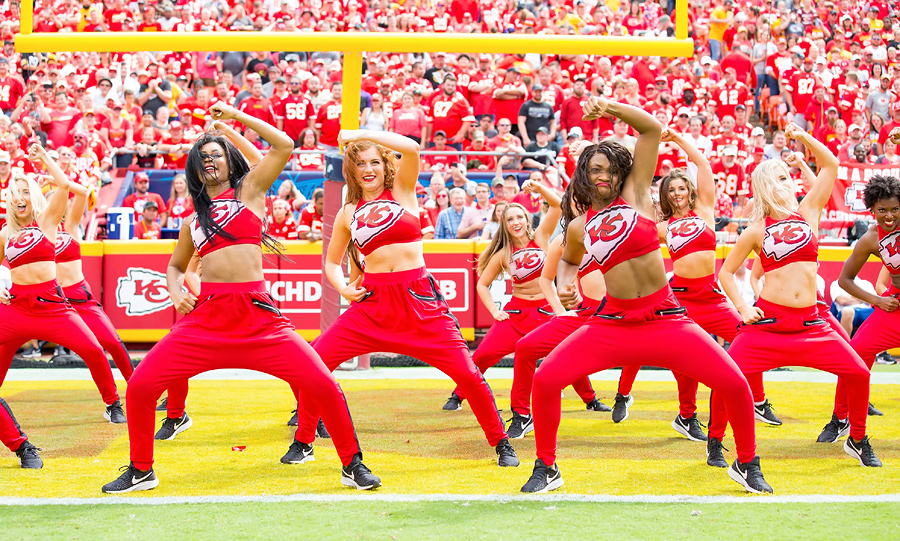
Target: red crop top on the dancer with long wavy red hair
point(381, 222)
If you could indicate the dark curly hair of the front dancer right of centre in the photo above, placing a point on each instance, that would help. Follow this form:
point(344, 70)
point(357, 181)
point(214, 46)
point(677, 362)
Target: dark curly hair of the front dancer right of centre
point(582, 193)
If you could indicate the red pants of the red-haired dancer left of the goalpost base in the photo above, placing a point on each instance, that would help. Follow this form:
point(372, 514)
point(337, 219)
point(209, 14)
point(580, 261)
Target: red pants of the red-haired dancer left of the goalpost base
point(404, 313)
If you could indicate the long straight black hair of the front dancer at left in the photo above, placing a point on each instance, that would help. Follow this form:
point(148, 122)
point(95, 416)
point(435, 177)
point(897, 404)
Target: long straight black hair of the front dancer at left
point(237, 171)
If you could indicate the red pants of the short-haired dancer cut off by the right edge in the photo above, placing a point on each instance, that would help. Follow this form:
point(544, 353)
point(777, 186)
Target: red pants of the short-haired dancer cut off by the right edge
point(879, 332)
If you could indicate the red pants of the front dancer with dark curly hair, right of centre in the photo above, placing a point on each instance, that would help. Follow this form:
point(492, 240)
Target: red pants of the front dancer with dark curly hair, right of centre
point(631, 332)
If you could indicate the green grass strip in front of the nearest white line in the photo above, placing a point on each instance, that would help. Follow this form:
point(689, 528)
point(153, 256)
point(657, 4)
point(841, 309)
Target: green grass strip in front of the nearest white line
point(454, 520)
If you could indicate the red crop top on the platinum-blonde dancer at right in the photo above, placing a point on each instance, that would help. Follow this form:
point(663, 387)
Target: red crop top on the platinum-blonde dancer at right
point(788, 241)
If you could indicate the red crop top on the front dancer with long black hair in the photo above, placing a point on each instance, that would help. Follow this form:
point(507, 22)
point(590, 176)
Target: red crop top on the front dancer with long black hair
point(234, 218)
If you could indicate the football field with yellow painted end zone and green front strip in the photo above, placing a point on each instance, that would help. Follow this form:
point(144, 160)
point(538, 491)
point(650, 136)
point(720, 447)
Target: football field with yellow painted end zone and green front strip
point(638, 478)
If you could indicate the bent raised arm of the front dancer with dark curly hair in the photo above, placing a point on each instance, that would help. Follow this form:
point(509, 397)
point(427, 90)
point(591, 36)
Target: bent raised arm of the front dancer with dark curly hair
point(646, 148)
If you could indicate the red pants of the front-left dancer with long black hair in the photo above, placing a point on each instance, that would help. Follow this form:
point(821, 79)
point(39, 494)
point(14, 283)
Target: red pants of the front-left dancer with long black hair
point(234, 325)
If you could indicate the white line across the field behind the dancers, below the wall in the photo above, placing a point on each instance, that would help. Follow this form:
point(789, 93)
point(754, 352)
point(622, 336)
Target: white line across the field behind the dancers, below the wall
point(83, 374)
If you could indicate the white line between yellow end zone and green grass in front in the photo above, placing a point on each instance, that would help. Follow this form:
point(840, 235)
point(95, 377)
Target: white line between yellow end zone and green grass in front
point(416, 498)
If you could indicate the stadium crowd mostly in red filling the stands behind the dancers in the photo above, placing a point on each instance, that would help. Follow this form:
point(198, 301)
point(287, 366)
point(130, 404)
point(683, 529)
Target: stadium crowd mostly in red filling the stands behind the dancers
point(831, 67)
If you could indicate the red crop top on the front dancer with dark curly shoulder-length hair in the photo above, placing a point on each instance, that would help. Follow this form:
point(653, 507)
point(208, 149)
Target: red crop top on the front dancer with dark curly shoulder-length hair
point(616, 234)
